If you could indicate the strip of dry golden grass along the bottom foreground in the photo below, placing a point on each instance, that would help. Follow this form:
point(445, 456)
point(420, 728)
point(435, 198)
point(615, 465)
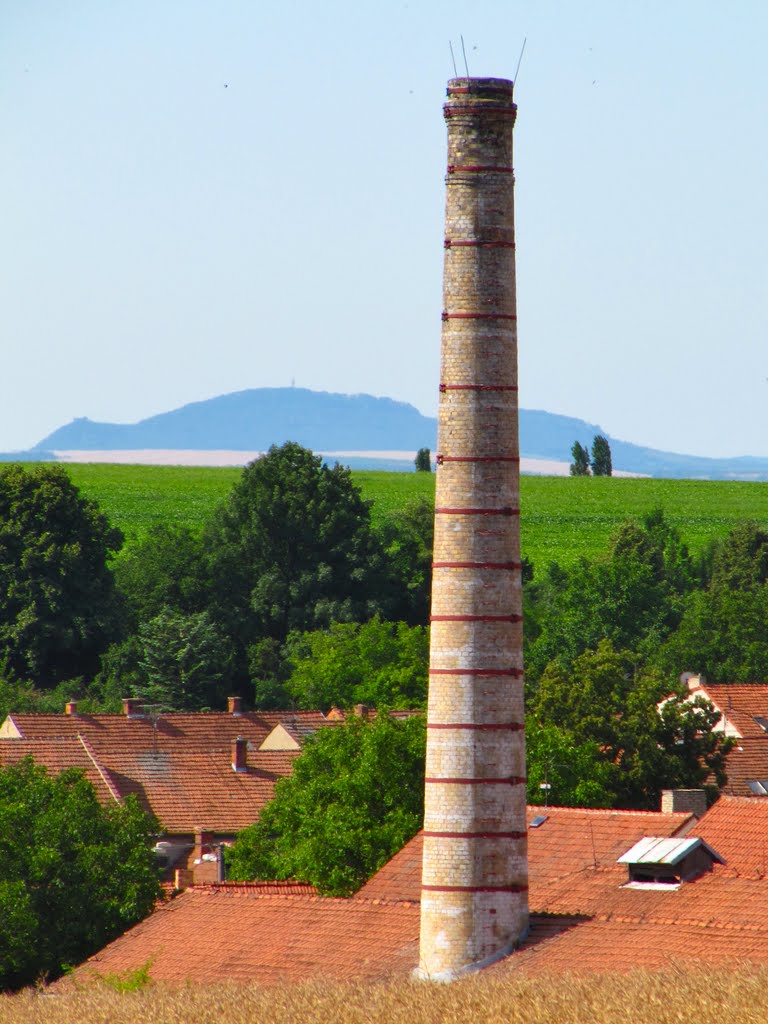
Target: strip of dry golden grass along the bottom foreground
point(677, 996)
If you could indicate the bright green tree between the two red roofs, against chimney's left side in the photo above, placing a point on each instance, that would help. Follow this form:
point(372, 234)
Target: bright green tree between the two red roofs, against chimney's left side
point(356, 797)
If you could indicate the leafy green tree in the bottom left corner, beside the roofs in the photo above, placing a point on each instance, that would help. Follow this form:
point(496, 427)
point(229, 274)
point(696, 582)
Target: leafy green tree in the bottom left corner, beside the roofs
point(73, 875)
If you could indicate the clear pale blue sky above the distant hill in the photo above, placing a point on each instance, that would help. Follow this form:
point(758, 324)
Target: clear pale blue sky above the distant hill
point(199, 198)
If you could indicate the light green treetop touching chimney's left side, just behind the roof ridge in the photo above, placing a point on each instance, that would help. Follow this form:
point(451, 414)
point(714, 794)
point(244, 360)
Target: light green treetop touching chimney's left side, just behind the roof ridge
point(383, 665)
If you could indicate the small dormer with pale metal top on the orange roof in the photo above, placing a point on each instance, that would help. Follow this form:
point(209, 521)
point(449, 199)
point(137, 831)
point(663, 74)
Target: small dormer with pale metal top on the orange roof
point(665, 864)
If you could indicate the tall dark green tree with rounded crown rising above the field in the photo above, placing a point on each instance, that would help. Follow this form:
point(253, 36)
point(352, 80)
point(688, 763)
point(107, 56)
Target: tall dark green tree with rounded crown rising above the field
point(292, 549)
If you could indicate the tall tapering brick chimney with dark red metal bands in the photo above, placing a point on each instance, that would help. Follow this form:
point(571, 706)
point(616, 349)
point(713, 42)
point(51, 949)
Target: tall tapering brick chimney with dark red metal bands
point(475, 882)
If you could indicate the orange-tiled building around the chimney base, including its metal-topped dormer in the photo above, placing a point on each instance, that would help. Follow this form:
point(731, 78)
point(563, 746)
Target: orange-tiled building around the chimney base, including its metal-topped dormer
point(703, 903)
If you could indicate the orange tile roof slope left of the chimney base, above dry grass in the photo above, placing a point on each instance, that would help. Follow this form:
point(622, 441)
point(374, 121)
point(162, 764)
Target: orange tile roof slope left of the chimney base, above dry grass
point(222, 933)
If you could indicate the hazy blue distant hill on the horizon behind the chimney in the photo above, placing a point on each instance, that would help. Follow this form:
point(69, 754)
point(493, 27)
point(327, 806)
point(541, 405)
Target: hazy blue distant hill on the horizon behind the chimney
point(255, 419)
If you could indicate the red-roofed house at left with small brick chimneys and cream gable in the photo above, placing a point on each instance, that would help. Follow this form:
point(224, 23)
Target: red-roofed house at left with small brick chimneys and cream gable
point(204, 776)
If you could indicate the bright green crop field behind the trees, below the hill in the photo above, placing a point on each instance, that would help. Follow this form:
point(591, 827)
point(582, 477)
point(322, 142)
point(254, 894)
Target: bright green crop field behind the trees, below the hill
point(563, 518)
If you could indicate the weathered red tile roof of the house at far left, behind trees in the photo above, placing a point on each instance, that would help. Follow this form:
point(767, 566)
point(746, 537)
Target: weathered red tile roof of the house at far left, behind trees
point(182, 772)
